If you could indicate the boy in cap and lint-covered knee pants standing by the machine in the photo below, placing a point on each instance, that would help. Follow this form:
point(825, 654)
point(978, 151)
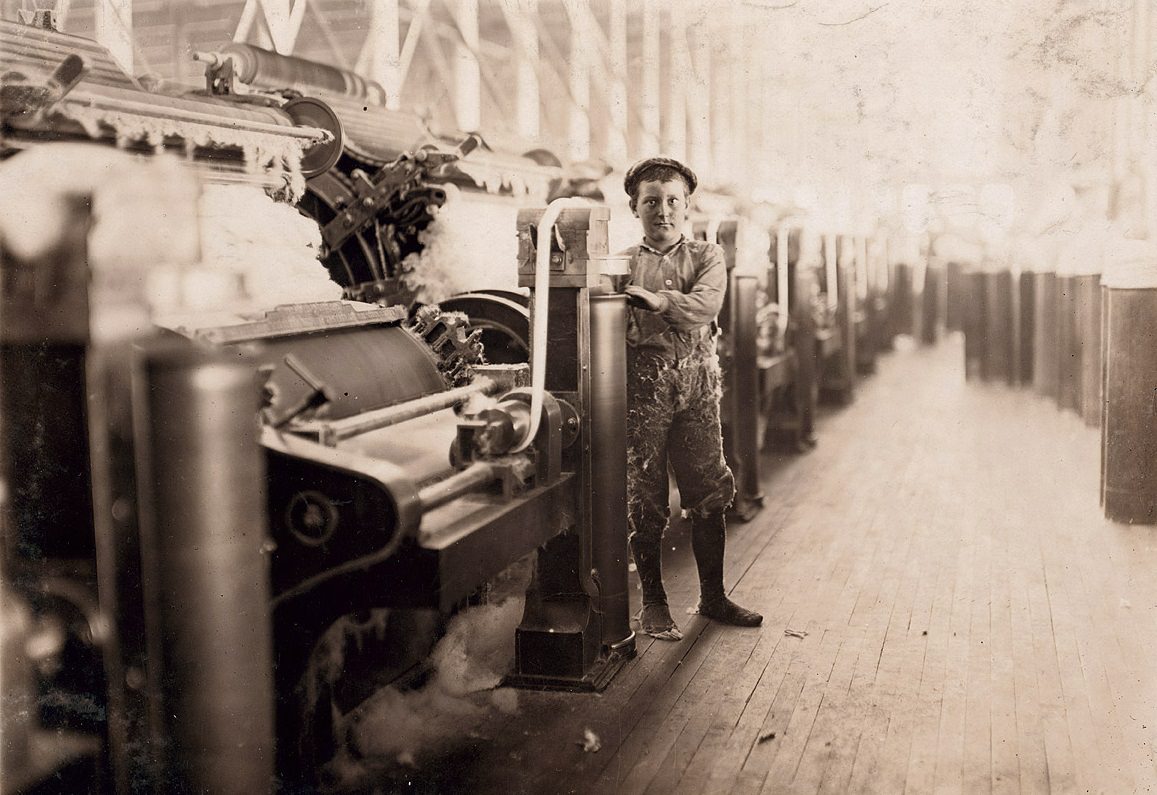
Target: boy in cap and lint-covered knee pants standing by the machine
point(674, 388)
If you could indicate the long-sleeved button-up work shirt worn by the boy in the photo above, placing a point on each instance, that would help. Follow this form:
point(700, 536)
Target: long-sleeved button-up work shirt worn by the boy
point(692, 281)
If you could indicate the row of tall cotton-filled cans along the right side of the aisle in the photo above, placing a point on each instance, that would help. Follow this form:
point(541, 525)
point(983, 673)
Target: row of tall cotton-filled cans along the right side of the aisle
point(1075, 326)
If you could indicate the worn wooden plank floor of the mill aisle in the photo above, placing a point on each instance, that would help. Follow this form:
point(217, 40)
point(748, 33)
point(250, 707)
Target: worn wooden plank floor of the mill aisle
point(974, 624)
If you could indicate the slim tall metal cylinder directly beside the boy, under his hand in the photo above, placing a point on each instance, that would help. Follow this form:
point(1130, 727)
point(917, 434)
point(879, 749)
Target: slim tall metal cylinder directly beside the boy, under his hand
point(608, 423)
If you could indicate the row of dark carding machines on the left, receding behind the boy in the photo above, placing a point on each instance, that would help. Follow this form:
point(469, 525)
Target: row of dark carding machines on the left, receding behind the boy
point(190, 504)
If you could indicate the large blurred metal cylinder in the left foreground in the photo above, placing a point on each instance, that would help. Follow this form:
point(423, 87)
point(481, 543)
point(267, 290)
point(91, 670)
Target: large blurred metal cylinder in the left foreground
point(207, 579)
